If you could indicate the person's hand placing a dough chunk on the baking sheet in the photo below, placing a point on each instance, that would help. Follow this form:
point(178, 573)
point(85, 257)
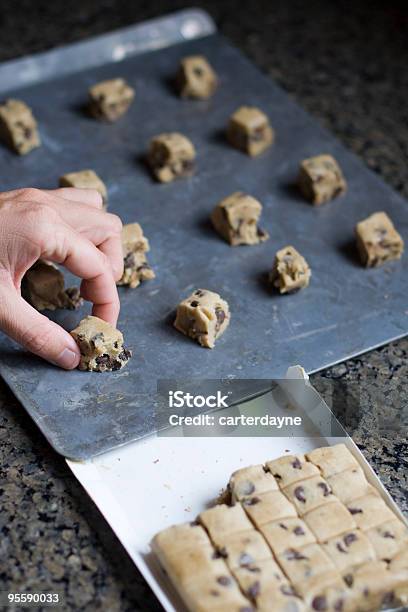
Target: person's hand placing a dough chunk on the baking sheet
point(67, 227)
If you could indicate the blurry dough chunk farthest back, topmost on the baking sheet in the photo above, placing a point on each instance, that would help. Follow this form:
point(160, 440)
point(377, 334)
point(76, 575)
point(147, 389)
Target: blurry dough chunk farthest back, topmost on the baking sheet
point(196, 78)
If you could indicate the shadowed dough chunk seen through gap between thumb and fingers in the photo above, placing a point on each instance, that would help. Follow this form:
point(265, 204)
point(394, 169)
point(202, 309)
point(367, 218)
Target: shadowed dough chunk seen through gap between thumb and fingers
point(43, 287)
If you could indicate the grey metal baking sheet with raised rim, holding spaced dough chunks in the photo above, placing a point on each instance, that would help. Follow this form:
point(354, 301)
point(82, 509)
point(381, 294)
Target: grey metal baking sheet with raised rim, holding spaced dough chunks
point(346, 310)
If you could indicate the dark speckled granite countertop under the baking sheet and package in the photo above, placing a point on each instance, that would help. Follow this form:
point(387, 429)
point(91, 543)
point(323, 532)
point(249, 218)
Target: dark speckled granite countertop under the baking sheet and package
point(347, 66)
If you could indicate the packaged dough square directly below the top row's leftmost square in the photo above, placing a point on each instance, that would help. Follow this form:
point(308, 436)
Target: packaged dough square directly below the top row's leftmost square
point(268, 507)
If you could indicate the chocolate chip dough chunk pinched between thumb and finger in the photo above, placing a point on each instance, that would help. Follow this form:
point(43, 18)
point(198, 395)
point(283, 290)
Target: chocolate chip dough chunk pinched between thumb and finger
point(101, 346)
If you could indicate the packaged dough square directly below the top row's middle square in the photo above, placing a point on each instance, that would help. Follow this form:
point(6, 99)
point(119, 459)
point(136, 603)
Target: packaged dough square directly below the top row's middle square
point(308, 494)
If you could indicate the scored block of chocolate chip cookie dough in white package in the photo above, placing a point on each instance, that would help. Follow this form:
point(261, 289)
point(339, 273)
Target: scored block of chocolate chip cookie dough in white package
point(322, 562)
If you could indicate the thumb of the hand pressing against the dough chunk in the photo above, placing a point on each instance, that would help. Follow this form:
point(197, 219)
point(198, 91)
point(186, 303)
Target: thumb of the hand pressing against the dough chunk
point(35, 332)
